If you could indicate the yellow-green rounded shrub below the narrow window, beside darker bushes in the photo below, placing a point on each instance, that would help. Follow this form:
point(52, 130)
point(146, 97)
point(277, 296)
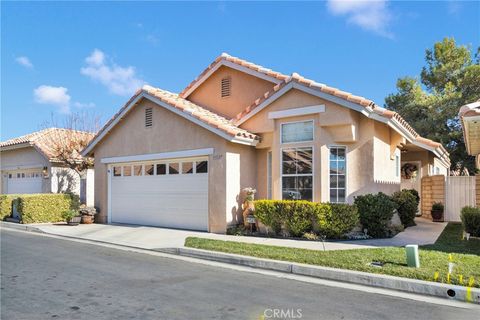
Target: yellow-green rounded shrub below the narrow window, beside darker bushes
point(334, 219)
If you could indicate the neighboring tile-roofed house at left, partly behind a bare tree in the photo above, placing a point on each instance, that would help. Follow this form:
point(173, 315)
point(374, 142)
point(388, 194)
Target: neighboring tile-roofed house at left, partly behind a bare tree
point(29, 165)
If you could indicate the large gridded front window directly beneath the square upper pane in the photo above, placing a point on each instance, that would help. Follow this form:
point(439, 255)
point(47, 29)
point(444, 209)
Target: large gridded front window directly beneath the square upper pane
point(297, 177)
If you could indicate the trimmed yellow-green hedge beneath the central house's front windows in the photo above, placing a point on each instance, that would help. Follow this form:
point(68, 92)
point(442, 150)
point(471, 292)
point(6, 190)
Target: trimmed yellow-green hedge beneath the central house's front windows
point(300, 217)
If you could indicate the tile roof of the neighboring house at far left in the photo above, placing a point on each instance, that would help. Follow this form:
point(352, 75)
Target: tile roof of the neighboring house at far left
point(43, 140)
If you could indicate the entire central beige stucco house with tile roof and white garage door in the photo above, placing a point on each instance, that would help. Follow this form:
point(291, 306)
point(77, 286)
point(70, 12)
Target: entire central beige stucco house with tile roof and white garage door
point(181, 160)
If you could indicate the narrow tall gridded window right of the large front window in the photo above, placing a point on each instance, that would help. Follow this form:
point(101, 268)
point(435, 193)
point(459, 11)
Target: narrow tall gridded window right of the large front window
point(338, 166)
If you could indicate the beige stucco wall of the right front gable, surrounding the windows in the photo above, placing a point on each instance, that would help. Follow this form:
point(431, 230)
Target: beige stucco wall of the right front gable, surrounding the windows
point(368, 139)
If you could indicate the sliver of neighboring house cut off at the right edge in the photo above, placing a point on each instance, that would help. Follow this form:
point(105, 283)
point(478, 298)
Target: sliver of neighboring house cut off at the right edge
point(470, 116)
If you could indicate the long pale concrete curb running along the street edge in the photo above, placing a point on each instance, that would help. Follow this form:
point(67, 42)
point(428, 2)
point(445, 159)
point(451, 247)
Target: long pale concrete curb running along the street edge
point(356, 277)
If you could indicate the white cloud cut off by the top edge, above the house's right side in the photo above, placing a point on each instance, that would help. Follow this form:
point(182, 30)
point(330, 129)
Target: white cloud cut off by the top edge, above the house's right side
point(371, 15)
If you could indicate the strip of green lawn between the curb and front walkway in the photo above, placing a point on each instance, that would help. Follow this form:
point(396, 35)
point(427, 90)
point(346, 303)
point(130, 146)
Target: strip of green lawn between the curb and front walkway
point(433, 258)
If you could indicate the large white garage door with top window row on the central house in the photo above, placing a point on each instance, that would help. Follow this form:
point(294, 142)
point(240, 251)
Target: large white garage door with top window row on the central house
point(171, 193)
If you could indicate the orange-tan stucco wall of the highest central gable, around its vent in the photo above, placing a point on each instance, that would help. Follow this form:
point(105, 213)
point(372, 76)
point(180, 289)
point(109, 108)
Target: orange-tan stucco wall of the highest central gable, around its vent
point(245, 89)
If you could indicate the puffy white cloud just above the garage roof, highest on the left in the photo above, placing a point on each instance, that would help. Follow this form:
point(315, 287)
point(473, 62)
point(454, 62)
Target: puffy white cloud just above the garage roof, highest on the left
point(119, 80)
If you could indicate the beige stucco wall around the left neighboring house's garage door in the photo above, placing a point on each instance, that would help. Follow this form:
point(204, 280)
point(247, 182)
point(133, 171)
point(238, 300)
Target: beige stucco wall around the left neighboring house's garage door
point(23, 159)
